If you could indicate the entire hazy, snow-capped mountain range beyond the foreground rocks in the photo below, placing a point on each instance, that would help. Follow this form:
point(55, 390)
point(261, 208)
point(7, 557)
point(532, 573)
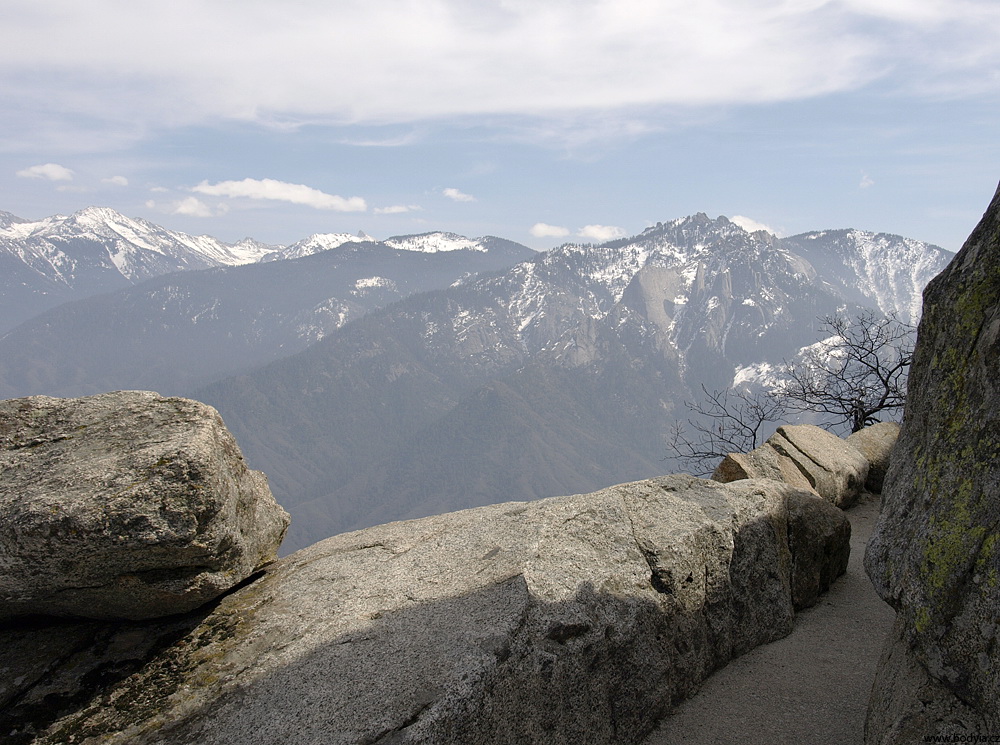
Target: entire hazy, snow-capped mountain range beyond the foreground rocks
point(375, 381)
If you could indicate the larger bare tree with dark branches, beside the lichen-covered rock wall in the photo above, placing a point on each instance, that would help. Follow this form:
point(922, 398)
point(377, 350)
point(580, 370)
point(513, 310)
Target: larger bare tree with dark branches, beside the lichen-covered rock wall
point(856, 374)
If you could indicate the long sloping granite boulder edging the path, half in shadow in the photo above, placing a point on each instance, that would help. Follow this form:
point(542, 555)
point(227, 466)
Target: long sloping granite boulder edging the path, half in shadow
point(577, 619)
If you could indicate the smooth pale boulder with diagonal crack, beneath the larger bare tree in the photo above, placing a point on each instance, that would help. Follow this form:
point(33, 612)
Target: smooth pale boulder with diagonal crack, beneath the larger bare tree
point(836, 470)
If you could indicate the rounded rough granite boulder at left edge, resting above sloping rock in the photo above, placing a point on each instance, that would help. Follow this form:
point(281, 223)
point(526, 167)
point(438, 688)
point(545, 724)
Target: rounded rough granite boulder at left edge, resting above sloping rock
point(125, 505)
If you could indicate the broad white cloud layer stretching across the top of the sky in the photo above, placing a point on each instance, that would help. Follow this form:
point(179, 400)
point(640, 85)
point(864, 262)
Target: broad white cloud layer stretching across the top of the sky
point(414, 61)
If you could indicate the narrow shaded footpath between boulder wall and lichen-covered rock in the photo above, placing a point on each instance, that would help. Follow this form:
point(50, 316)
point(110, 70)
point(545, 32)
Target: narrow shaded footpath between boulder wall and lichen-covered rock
point(810, 687)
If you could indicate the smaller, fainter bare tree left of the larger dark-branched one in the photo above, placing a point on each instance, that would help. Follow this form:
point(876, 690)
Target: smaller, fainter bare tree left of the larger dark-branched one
point(729, 421)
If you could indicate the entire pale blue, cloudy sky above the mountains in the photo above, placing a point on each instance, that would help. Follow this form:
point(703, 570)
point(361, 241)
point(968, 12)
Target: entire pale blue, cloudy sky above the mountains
point(540, 121)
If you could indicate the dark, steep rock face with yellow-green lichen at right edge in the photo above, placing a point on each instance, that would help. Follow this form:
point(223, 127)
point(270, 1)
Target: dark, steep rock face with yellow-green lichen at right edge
point(935, 553)
